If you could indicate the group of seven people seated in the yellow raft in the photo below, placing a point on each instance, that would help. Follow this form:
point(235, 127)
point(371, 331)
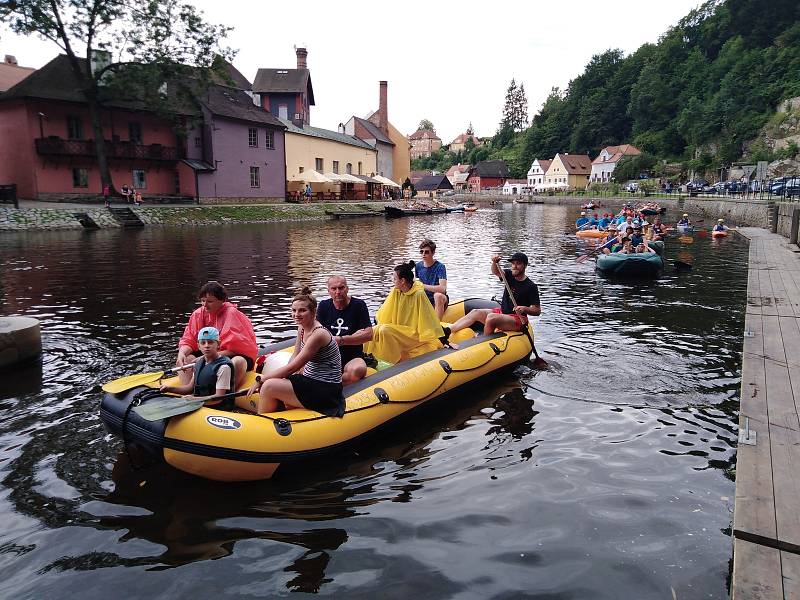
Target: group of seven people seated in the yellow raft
point(336, 338)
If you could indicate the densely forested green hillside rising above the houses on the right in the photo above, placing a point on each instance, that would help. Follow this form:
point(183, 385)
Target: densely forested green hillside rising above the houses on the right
point(698, 96)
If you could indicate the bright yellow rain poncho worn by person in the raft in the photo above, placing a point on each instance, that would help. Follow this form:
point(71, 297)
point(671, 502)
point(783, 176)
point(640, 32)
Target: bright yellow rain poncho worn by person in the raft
point(407, 326)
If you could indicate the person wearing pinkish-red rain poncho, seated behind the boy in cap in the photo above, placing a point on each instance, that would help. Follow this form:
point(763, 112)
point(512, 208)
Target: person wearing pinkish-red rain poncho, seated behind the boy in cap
point(237, 338)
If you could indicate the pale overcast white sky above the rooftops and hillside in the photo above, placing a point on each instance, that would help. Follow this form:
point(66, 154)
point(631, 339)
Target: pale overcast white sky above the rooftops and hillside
point(447, 62)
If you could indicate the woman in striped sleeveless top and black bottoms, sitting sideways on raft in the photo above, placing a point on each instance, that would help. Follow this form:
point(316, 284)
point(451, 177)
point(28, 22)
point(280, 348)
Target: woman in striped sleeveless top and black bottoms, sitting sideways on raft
point(319, 386)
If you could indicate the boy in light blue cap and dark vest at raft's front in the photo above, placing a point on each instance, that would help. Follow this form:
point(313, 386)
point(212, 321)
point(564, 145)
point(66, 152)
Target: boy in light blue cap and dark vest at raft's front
point(212, 374)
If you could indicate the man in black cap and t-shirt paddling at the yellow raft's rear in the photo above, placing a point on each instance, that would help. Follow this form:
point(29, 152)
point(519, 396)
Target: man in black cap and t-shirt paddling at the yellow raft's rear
point(510, 316)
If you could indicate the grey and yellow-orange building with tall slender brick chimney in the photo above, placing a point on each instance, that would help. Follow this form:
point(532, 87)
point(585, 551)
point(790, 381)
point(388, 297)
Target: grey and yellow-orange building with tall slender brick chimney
point(394, 156)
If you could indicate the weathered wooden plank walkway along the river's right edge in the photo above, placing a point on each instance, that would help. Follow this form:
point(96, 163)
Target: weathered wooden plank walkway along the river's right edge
point(766, 518)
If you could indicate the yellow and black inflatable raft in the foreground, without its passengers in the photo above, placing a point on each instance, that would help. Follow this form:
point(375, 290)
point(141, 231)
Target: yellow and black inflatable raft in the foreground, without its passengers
point(240, 446)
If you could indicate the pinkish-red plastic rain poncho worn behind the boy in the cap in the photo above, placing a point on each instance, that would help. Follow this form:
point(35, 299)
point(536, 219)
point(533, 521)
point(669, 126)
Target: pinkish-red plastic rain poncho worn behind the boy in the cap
point(235, 330)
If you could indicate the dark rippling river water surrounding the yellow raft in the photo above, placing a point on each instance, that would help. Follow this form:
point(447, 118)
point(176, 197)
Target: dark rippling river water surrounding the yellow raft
point(607, 476)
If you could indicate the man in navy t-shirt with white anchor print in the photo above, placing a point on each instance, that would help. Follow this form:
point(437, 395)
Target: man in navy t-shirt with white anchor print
point(347, 319)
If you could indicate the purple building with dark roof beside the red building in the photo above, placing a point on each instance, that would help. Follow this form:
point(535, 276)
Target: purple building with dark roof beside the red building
point(238, 152)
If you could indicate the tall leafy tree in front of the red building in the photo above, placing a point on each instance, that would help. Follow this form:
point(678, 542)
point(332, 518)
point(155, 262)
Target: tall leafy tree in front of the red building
point(122, 45)
